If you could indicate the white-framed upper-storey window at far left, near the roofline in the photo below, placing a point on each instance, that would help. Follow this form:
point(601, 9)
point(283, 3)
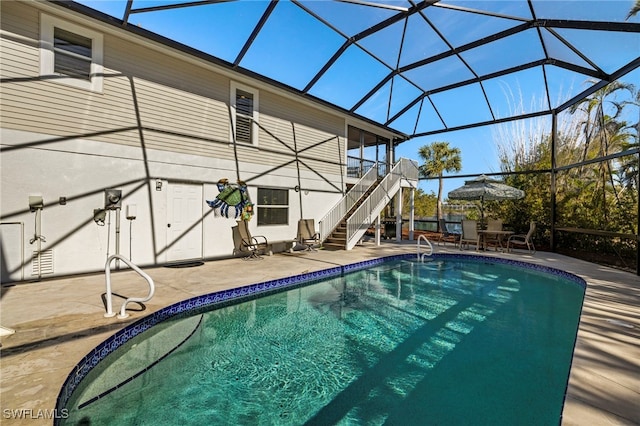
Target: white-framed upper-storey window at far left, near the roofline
point(70, 54)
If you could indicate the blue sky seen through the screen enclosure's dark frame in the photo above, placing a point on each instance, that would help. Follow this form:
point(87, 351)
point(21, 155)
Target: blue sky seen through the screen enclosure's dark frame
point(281, 49)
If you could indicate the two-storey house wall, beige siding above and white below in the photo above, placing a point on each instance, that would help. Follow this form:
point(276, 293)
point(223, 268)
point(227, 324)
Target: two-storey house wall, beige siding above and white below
point(162, 118)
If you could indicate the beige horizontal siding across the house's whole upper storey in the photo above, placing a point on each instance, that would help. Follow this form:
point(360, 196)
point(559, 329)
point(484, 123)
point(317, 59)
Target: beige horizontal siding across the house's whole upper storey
point(180, 106)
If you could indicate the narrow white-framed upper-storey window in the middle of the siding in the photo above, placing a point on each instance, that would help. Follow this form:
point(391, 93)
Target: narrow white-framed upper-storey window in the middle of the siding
point(244, 102)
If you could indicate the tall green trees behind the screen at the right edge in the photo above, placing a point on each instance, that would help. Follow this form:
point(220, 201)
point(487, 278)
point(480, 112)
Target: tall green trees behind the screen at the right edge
point(593, 190)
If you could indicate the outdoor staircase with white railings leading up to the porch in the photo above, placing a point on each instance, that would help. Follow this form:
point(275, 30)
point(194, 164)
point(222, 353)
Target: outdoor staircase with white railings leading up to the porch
point(346, 223)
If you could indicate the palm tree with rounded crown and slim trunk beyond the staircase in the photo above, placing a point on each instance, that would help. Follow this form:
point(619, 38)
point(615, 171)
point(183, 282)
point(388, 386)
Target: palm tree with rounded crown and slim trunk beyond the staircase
point(438, 158)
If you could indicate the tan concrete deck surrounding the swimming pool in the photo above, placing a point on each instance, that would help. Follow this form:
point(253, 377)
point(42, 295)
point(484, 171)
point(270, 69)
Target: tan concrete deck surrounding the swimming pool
point(58, 321)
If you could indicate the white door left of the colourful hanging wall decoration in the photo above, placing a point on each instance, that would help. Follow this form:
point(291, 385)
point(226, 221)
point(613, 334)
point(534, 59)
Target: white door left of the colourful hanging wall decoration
point(184, 221)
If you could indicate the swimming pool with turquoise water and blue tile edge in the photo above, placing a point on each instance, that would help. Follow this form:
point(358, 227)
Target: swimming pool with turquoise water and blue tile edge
point(392, 340)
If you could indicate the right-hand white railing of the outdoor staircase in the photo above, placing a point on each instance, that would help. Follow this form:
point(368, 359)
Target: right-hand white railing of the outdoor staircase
point(369, 210)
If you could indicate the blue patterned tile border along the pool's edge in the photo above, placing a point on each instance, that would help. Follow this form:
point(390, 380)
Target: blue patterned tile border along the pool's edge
point(80, 371)
